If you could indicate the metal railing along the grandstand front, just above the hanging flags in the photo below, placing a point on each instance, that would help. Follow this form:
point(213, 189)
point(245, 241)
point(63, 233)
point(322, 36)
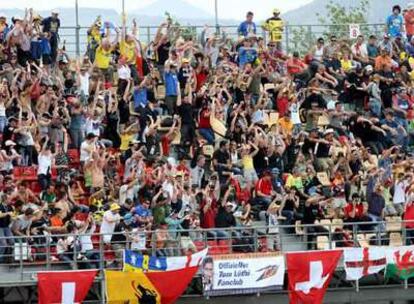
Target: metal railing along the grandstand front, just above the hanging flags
point(21, 257)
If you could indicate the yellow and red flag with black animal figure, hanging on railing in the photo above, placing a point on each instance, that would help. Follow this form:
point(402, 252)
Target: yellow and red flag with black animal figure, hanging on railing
point(163, 287)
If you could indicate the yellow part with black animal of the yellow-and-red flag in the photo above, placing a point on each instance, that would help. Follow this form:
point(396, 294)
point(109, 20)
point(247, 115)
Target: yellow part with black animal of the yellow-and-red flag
point(130, 287)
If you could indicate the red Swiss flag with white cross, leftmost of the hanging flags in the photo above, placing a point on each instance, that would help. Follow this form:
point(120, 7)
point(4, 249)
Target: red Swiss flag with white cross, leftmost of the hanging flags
point(64, 287)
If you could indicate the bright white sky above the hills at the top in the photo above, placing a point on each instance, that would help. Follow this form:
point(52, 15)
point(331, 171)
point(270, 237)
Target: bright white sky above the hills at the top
point(230, 9)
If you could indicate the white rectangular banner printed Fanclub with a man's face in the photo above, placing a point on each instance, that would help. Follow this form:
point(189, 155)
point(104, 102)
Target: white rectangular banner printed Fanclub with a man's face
point(241, 274)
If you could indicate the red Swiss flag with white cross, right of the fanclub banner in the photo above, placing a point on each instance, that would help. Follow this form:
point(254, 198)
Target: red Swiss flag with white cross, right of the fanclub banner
point(309, 274)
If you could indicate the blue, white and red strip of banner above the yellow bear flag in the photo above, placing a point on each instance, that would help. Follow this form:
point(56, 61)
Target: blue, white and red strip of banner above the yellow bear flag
point(135, 261)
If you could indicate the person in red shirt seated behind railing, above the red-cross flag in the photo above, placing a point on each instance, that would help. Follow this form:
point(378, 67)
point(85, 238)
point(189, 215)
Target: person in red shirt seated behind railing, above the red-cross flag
point(356, 211)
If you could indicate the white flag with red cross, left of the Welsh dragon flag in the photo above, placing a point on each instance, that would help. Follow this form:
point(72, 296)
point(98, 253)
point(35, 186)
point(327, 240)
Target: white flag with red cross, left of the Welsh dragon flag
point(360, 262)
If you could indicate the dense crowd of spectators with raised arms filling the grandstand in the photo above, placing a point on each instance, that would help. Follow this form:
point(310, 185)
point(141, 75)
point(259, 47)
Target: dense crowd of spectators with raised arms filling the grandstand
point(139, 141)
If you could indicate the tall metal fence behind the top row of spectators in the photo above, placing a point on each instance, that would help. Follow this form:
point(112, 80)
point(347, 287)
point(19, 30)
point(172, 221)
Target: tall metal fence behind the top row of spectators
point(295, 37)
